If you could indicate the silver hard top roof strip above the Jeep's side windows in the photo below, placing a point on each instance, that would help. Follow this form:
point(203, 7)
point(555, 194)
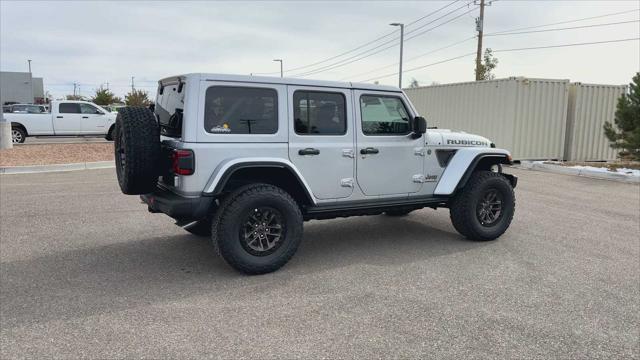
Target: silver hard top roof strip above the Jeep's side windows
point(276, 80)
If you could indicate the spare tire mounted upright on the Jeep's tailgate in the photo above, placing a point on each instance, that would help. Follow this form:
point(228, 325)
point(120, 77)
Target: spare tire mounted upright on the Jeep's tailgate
point(137, 150)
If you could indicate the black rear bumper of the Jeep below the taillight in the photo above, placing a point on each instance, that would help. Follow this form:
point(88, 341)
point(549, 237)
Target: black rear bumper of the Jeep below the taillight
point(176, 206)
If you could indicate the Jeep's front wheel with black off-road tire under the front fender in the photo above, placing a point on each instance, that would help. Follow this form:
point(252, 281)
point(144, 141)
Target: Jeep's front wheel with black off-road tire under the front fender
point(484, 208)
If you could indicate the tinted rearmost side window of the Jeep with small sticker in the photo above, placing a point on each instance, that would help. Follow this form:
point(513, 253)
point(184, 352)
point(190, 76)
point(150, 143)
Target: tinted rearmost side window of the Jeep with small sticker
point(241, 110)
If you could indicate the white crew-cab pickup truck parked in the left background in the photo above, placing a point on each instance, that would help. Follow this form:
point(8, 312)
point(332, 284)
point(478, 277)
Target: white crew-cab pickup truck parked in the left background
point(66, 118)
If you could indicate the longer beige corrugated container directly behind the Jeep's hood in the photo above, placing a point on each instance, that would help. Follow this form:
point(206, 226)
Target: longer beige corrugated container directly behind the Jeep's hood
point(526, 116)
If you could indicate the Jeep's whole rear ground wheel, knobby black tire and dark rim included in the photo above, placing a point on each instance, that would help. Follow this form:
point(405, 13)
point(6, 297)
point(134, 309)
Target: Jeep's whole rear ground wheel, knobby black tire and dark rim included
point(259, 230)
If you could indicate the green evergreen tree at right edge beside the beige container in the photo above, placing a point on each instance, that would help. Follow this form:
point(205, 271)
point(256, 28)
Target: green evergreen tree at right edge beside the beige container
point(625, 134)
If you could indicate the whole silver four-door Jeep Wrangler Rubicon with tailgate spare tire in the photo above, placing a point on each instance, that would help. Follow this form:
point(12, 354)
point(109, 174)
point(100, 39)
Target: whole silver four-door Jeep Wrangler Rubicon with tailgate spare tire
point(246, 160)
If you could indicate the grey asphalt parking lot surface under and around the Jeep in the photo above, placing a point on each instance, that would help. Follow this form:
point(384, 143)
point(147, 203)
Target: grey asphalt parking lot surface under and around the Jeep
point(86, 272)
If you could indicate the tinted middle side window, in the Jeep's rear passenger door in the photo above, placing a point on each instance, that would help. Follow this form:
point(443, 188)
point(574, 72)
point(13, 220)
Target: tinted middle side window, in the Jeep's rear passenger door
point(319, 113)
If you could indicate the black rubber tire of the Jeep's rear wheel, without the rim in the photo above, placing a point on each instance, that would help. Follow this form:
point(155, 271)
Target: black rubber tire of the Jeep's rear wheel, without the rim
point(232, 212)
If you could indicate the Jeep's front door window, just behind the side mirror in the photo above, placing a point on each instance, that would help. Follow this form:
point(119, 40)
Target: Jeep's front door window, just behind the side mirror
point(383, 115)
